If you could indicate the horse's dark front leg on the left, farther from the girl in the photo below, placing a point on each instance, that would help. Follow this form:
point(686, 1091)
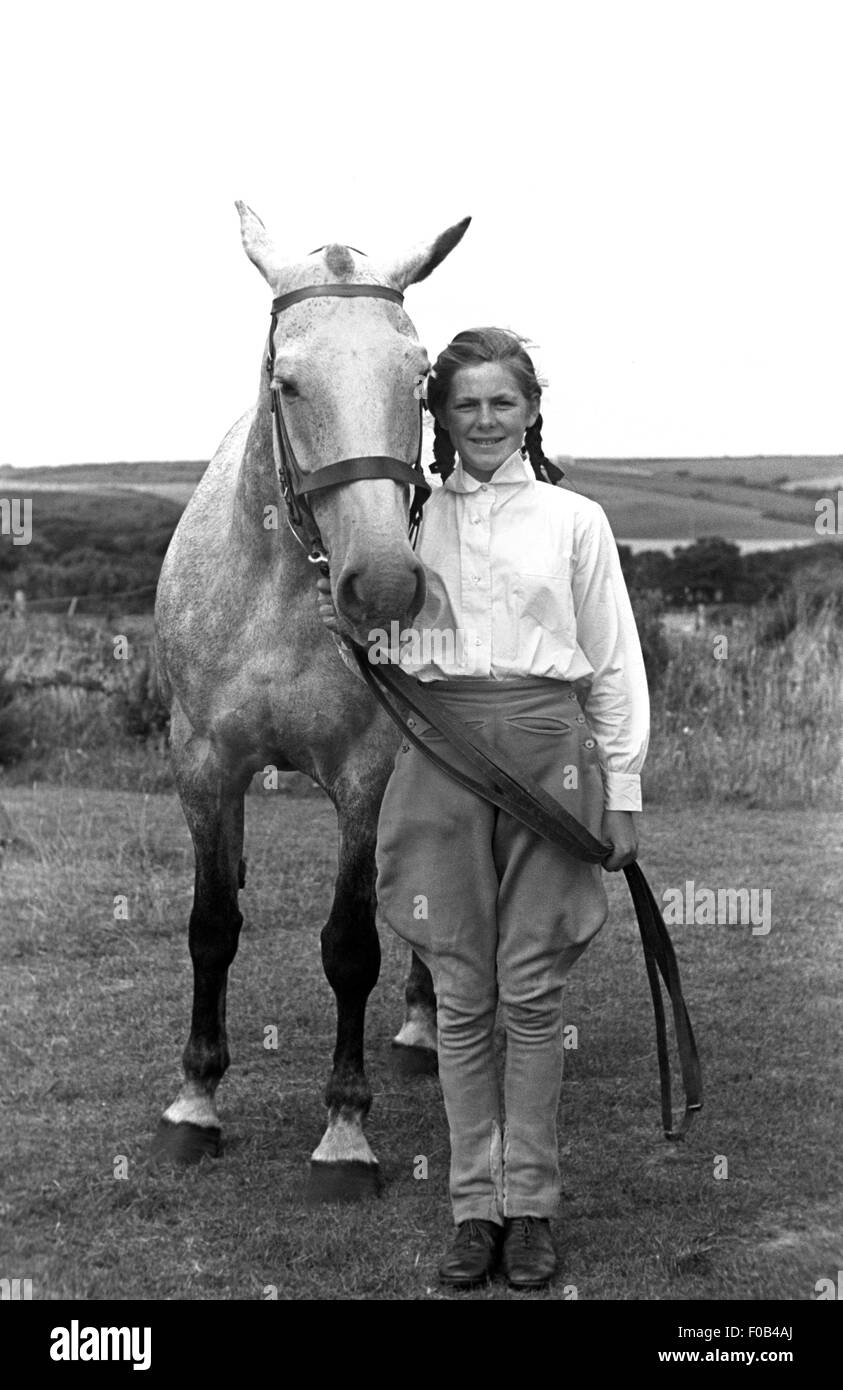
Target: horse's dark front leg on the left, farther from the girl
point(215, 811)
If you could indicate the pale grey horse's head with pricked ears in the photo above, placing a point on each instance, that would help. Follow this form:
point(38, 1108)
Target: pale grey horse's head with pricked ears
point(350, 375)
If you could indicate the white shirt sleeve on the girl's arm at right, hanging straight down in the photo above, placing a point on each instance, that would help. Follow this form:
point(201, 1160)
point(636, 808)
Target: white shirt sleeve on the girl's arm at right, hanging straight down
point(618, 703)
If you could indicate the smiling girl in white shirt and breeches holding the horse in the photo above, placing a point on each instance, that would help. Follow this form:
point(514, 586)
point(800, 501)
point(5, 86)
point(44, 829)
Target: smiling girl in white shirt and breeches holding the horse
point(527, 614)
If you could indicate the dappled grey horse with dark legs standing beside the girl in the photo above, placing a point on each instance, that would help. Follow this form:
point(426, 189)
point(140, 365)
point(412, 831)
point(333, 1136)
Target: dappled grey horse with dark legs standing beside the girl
point(254, 678)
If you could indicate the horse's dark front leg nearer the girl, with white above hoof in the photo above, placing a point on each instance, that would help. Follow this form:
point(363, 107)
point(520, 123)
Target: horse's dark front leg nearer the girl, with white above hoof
point(344, 1168)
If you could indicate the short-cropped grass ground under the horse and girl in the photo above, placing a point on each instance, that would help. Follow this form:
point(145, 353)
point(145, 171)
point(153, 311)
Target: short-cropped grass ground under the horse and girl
point(95, 1014)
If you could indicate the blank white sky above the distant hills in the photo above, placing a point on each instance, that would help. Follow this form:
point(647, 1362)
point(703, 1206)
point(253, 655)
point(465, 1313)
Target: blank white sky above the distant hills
point(656, 191)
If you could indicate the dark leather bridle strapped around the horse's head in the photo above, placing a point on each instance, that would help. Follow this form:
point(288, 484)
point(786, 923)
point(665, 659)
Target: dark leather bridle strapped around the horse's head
point(296, 484)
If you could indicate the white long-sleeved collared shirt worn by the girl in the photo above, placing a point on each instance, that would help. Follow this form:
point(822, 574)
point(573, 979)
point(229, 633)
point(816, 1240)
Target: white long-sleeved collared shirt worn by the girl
point(524, 579)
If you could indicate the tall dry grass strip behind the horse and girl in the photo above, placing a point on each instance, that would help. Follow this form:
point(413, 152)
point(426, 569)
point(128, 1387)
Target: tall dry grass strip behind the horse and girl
point(760, 725)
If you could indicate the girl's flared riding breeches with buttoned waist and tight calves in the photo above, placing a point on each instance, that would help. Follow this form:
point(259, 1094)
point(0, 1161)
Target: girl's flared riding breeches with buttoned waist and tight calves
point(500, 917)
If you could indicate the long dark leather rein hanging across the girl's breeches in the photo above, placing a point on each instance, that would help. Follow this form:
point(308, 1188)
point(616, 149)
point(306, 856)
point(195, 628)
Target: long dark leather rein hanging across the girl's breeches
point(524, 799)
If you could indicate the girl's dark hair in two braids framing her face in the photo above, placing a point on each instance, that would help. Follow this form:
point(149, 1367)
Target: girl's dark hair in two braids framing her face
point(469, 350)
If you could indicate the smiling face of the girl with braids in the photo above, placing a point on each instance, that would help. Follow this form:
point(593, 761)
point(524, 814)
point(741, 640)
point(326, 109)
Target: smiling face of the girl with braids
point(488, 416)
